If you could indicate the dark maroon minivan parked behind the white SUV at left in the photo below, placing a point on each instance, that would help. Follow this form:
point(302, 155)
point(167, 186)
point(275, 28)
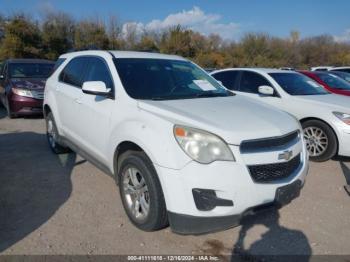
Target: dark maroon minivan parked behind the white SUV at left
point(22, 83)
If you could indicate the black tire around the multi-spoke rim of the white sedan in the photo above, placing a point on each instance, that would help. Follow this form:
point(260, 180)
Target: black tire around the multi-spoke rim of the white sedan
point(332, 148)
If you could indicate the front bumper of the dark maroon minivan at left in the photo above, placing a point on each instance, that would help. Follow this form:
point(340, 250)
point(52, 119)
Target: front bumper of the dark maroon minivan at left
point(20, 105)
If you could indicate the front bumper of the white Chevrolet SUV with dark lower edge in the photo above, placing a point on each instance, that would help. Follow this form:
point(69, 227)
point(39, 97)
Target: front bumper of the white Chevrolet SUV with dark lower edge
point(230, 181)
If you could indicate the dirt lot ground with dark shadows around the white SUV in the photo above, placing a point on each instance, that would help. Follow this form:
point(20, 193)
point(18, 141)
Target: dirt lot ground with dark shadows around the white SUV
point(64, 205)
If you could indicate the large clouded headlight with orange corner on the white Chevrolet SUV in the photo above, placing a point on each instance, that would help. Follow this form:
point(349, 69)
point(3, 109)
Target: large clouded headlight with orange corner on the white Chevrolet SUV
point(202, 146)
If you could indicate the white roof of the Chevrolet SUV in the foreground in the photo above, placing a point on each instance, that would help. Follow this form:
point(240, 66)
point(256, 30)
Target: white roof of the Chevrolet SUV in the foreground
point(124, 54)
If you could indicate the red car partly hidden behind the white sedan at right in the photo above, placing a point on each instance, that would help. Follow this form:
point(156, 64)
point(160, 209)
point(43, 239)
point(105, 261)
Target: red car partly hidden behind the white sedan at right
point(330, 81)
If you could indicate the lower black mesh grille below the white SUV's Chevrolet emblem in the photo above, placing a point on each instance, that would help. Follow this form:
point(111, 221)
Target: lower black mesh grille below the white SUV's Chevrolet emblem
point(271, 172)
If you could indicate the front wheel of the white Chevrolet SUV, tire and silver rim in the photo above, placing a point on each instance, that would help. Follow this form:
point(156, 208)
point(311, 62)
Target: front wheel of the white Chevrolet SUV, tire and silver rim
point(141, 192)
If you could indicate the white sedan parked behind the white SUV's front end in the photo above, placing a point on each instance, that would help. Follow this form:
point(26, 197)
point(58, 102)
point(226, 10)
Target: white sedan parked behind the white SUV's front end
point(325, 117)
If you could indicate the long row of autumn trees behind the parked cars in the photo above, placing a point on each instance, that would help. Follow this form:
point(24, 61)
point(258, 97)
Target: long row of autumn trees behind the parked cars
point(58, 33)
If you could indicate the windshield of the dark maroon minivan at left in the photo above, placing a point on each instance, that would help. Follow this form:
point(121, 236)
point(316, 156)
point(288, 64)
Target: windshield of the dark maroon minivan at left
point(30, 70)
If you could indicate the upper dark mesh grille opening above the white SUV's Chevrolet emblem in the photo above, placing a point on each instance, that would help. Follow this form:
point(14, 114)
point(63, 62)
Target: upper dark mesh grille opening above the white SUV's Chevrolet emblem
point(269, 144)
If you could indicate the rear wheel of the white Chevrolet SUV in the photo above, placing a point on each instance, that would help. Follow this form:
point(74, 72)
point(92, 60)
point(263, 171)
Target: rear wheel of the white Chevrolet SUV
point(53, 136)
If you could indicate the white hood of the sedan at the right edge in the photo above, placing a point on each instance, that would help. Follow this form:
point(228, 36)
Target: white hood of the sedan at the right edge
point(331, 101)
